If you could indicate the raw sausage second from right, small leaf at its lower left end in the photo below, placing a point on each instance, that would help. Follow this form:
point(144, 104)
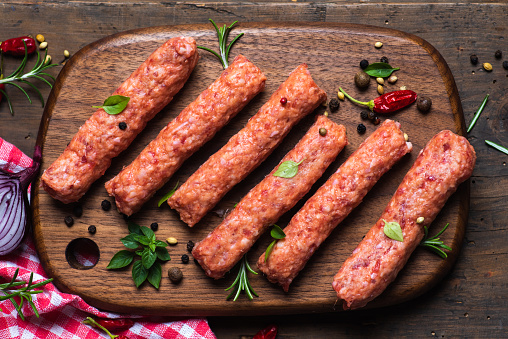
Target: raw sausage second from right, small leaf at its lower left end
point(333, 201)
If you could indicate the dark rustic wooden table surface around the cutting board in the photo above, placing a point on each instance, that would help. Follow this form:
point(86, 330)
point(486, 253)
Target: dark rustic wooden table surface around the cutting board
point(471, 301)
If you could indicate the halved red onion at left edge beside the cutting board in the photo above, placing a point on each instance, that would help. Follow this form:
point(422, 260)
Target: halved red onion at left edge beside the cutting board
point(14, 204)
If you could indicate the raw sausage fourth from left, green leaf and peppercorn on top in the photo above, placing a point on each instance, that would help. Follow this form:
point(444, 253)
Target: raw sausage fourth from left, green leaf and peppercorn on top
point(270, 199)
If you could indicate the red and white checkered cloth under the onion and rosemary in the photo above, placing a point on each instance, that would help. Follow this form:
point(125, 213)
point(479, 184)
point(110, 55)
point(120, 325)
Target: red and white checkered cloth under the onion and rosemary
point(62, 314)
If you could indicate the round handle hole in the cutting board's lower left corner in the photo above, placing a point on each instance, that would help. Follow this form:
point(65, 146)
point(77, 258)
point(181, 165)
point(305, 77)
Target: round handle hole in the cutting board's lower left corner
point(82, 254)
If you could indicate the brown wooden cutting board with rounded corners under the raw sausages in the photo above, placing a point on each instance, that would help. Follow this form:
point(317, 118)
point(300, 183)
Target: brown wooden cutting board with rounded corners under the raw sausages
point(333, 53)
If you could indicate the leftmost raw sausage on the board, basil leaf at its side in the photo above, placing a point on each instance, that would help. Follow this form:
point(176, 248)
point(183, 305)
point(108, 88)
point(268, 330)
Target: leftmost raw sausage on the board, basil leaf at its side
point(151, 87)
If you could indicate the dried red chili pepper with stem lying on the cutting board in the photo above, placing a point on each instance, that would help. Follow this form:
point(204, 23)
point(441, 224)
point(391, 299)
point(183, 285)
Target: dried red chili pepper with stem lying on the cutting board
point(389, 102)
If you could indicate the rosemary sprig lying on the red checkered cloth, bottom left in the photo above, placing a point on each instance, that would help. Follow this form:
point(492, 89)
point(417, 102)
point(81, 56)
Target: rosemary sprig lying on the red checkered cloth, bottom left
point(24, 293)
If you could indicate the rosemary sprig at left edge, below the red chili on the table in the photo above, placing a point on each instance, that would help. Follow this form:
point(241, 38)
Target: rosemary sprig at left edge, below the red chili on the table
point(37, 72)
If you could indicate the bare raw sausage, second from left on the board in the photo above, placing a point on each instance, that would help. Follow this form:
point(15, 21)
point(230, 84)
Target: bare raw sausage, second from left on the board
point(184, 135)
